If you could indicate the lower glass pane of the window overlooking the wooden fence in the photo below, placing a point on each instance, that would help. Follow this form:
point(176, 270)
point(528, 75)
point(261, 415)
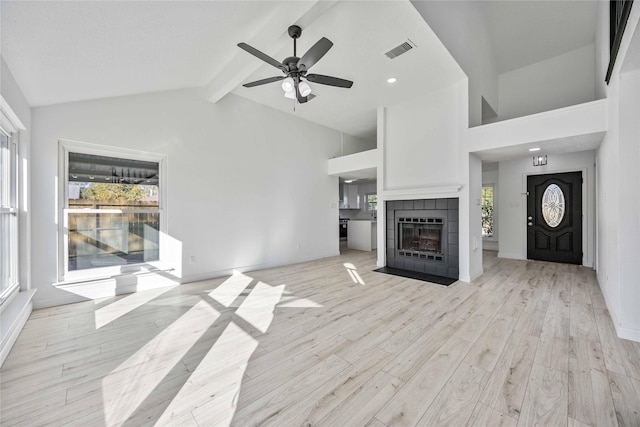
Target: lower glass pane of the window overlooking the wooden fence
point(111, 239)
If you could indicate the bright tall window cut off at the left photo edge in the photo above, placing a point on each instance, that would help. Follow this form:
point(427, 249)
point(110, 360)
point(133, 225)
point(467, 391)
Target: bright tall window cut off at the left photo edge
point(8, 215)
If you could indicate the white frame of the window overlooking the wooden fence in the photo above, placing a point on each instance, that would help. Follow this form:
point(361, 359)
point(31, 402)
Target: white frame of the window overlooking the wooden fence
point(64, 148)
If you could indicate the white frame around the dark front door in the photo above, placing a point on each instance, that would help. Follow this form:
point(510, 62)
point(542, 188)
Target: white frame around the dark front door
point(587, 221)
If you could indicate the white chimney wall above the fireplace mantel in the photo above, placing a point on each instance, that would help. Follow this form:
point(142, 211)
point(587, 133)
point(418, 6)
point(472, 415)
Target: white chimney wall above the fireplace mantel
point(422, 142)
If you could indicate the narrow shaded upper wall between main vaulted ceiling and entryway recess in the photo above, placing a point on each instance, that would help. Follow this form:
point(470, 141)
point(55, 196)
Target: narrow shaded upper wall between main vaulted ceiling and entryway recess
point(460, 25)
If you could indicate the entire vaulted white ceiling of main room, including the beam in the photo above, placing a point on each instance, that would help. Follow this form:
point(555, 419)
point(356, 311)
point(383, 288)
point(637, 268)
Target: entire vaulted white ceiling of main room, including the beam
point(64, 51)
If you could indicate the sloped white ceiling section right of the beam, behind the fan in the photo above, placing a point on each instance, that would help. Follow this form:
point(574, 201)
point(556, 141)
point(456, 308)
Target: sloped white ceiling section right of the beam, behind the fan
point(358, 55)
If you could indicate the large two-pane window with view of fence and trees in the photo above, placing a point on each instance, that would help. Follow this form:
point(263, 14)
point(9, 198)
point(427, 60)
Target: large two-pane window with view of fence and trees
point(112, 212)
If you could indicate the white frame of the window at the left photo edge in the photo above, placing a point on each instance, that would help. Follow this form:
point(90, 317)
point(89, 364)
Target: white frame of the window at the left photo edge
point(12, 209)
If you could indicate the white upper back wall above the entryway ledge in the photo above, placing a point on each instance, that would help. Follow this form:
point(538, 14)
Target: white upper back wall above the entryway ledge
point(557, 82)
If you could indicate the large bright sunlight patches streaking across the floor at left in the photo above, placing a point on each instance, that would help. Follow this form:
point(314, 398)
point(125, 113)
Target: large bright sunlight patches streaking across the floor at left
point(211, 392)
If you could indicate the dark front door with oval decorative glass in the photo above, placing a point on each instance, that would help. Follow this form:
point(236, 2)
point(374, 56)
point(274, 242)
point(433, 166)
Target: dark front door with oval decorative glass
point(554, 217)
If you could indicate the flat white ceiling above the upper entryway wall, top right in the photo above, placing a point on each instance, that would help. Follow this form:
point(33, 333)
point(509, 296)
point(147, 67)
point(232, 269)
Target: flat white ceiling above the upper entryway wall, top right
point(525, 32)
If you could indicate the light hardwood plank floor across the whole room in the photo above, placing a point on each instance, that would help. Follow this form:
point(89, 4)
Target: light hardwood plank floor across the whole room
point(332, 343)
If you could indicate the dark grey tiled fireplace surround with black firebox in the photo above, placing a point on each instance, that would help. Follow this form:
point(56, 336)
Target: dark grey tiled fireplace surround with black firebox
point(422, 236)
